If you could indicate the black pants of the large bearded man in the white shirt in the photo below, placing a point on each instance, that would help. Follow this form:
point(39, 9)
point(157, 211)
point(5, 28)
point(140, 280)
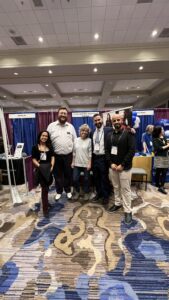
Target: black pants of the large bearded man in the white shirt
point(63, 172)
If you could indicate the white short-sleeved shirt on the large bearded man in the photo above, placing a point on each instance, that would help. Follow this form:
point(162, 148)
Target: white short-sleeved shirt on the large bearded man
point(62, 137)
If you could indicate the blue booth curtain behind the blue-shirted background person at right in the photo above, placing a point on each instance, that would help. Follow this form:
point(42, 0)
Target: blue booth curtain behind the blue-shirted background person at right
point(144, 121)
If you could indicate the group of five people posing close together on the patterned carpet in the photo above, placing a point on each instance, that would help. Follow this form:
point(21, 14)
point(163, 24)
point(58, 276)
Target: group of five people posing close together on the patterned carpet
point(107, 151)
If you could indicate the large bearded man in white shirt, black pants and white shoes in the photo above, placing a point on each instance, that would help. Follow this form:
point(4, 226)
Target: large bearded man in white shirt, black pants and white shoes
point(62, 135)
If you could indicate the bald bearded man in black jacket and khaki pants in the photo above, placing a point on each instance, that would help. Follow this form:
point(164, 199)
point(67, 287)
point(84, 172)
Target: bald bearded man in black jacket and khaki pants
point(120, 149)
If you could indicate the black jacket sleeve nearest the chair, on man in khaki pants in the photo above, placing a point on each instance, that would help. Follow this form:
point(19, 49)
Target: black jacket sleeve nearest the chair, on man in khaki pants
point(131, 149)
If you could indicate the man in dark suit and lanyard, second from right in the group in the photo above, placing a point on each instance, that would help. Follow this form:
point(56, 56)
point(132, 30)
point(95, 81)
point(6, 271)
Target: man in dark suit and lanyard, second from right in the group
point(100, 165)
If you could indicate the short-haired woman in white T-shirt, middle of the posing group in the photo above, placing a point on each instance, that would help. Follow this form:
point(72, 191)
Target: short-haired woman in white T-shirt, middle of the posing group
point(82, 154)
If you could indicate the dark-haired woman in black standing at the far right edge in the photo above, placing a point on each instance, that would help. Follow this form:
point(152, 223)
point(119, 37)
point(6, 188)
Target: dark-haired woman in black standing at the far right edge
point(161, 148)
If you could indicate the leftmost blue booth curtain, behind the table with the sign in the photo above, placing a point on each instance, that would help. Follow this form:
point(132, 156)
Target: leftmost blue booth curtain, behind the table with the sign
point(24, 131)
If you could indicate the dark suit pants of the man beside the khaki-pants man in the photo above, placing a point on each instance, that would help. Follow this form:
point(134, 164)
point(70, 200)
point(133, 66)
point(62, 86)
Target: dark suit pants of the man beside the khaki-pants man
point(100, 176)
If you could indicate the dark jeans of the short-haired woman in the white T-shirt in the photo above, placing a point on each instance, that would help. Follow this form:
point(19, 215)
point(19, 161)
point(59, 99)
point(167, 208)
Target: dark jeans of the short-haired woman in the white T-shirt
point(86, 179)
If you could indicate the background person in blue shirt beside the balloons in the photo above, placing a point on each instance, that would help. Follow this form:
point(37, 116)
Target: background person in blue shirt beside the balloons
point(147, 139)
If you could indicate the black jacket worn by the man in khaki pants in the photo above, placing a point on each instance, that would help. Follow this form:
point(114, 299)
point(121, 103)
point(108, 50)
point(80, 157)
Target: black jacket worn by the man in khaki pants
point(125, 143)
